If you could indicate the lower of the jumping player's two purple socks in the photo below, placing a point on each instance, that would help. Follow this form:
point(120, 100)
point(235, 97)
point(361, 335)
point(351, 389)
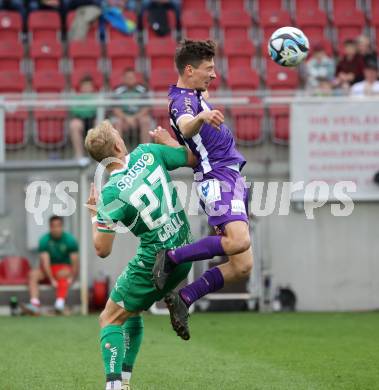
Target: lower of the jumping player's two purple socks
point(211, 280)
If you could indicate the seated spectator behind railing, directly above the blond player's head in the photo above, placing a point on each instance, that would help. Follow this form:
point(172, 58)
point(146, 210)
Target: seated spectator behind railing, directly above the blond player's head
point(129, 118)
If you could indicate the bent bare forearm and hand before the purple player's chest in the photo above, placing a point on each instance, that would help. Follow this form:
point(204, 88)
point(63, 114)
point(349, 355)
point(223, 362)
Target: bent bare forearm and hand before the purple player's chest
point(189, 127)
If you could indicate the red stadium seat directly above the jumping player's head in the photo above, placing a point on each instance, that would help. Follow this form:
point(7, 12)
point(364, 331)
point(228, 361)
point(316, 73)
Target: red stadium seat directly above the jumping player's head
point(197, 23)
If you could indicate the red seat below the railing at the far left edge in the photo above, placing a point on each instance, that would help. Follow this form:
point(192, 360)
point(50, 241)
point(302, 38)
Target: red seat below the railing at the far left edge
point(15, 133)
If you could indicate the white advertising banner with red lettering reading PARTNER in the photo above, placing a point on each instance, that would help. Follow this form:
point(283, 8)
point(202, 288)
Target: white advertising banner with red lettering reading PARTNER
point(334, 142)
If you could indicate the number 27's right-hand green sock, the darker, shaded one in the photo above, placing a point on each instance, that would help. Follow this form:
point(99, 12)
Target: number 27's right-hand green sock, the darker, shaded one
point(133, 335)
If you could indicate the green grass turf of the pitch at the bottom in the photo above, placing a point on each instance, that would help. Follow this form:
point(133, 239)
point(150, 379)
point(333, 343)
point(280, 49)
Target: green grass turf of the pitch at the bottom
point(227, 351)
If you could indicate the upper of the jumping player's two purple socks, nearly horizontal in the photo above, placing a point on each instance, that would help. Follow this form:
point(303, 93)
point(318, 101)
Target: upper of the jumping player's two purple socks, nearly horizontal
point(204, 249)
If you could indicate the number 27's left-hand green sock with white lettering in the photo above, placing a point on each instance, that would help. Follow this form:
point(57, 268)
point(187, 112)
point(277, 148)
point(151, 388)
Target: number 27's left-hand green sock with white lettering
point(112, 350)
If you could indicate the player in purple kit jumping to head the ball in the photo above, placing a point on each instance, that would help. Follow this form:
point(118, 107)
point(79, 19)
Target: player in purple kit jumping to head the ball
point(222, 191)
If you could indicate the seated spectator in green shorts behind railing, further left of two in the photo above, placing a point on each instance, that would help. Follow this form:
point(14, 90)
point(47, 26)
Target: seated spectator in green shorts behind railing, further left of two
point(82, 117)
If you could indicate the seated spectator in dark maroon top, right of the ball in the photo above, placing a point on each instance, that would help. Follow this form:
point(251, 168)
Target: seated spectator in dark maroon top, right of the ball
point(350, 67)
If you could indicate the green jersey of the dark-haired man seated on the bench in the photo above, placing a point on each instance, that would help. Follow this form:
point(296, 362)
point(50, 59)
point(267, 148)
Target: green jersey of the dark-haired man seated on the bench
point(60, 249)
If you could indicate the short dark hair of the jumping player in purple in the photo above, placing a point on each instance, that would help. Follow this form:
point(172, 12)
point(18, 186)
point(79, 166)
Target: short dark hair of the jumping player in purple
point(193, 53)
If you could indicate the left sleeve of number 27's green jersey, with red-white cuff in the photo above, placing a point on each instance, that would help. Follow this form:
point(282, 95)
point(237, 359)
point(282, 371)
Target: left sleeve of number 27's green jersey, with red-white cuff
point(110, 210)
